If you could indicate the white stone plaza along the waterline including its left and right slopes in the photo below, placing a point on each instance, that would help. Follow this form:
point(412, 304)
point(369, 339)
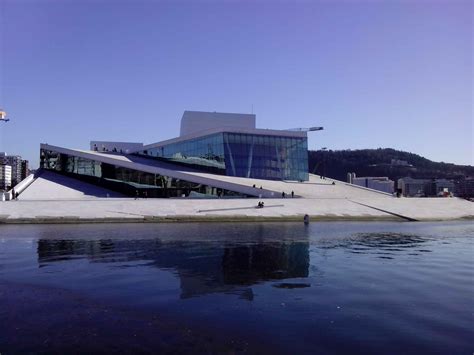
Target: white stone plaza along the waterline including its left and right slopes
point(46, 200)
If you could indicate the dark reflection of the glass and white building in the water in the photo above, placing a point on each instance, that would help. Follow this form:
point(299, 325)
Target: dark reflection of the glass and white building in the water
point(202, 267)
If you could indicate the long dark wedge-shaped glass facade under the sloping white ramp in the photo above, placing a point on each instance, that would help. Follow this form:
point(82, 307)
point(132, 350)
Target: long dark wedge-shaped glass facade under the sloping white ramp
point(127, 181)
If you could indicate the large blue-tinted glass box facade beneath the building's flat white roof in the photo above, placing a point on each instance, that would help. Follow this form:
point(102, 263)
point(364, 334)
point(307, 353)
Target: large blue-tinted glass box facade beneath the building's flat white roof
point(240, 154)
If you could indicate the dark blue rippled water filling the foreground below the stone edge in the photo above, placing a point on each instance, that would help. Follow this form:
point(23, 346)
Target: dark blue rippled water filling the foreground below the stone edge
point(223, 288)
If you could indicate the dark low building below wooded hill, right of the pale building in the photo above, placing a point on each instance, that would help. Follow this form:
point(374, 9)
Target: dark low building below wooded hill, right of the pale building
point(411, 187)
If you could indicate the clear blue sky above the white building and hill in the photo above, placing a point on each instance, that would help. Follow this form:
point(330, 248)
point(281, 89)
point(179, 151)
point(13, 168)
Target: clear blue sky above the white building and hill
point(375, 74)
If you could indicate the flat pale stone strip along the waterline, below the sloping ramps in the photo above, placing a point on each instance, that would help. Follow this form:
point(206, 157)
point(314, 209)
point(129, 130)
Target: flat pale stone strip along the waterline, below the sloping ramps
point(117, 210)
